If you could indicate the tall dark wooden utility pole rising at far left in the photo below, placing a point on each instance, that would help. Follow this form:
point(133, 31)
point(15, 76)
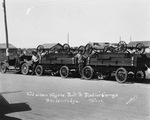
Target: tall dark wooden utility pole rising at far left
point(6, 30)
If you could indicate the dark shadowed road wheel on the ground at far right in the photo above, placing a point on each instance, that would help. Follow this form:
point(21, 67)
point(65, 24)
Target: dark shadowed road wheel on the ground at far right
point(140, 75)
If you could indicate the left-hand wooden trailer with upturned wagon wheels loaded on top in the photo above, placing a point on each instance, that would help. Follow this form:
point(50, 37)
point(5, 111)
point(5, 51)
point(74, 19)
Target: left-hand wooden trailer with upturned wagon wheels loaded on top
point(60, 61)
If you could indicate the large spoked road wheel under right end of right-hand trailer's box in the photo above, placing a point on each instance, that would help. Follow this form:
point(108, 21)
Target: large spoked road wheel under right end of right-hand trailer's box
point(121, 75)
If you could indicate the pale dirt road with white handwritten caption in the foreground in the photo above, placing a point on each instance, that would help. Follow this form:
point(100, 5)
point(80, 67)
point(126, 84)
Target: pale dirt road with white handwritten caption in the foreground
point(56, 98)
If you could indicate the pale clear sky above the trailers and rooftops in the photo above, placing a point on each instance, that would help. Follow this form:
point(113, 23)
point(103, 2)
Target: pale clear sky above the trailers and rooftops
point(35, 22)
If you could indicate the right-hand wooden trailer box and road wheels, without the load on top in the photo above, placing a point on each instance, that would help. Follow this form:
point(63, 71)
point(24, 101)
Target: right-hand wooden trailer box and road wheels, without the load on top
point(123, 64)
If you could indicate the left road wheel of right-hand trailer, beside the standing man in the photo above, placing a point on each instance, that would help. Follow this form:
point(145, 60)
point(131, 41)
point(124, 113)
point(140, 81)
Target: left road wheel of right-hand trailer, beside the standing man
point(87, 72)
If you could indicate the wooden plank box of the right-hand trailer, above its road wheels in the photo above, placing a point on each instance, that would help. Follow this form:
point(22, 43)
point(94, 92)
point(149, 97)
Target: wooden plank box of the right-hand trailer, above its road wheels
point(116, 59)
